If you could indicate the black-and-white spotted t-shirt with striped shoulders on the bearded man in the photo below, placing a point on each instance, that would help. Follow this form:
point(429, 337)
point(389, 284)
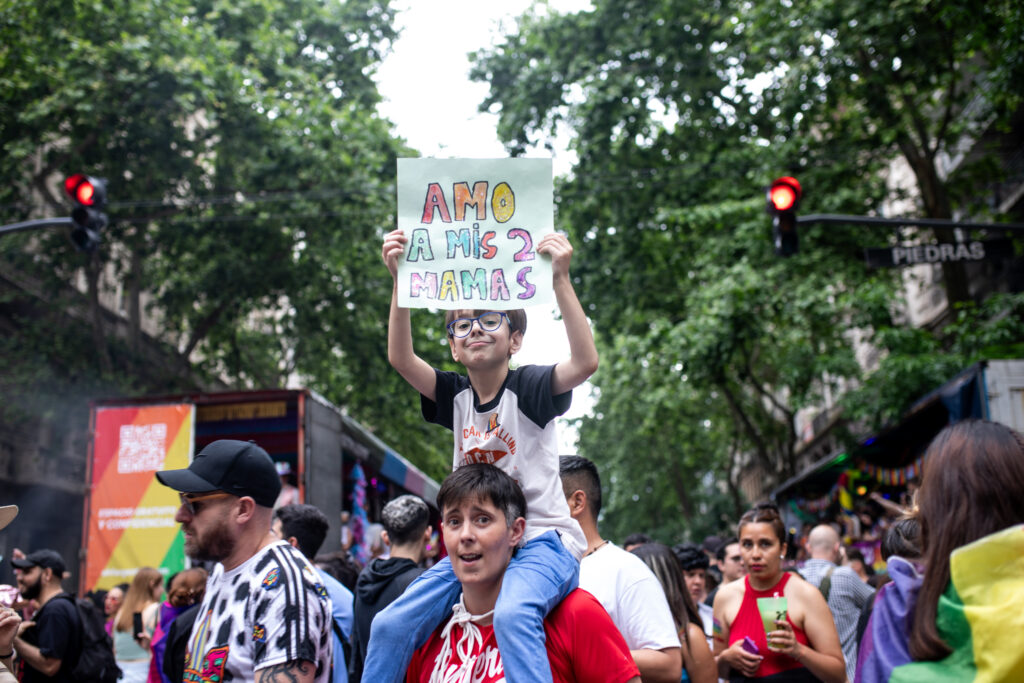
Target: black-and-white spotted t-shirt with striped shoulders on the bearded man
point(271, 610)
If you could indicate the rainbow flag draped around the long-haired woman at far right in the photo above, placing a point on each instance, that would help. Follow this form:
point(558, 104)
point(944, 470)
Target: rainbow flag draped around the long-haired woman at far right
point(980, 617)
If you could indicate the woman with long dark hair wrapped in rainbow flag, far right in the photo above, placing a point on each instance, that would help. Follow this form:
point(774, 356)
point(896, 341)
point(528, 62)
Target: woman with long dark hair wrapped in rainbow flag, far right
point(964, 617)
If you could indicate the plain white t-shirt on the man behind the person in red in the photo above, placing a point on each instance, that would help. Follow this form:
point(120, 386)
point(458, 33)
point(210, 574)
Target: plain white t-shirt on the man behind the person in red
point(632, 595)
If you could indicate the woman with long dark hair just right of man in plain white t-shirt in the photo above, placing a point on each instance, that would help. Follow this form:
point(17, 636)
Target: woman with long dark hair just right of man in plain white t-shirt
point(699, 665)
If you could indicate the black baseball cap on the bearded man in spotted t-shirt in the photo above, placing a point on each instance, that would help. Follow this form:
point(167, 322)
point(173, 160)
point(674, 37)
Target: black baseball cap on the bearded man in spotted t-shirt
point(241, 468)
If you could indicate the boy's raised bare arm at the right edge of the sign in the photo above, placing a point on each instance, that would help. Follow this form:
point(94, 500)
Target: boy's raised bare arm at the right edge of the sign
point(583, 354)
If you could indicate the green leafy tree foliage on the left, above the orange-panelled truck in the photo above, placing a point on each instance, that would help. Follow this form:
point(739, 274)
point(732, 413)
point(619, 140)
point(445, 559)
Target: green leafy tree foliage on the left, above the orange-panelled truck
point(250, 184)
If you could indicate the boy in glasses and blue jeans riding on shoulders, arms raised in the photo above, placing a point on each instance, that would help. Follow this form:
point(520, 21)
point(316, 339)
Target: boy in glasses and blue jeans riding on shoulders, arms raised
point(504, 417)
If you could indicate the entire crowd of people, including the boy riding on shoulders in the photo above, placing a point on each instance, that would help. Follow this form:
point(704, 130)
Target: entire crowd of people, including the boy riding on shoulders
point(531, 591)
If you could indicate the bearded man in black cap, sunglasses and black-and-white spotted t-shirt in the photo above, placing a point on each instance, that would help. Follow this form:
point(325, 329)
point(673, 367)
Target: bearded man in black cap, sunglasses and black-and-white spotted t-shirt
point(266, 616)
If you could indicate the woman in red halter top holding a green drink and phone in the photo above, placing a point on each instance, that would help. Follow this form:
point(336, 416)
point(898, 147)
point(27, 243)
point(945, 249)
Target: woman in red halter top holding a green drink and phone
point(804, 647)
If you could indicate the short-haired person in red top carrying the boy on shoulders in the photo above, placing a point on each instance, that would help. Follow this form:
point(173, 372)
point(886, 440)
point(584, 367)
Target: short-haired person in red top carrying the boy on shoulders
point(483, 519)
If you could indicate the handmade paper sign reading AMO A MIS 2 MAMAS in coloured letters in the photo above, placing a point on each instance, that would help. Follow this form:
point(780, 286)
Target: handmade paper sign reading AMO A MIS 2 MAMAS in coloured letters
point(473, 227)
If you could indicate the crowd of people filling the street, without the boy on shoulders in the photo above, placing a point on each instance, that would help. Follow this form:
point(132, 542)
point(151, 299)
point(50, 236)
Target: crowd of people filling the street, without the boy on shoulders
point(950, 601)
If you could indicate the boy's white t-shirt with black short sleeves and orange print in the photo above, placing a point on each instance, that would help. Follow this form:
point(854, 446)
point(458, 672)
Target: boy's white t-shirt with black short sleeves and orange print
point(516, 432)
